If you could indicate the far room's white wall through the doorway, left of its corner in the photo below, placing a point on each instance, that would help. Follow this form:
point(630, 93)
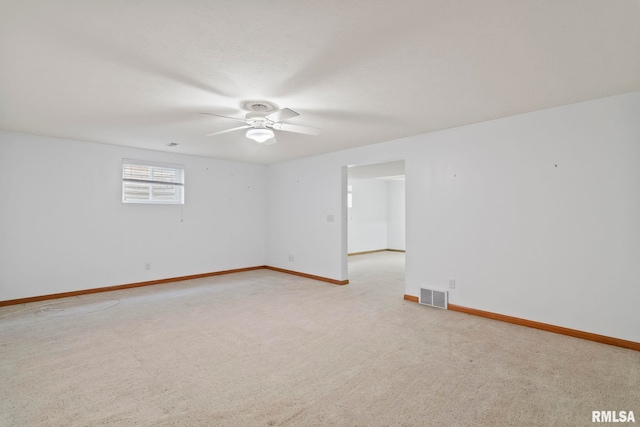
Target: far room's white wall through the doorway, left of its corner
point(368, 216)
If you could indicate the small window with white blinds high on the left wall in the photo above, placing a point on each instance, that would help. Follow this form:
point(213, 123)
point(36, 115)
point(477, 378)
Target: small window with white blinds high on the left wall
point(150, 182)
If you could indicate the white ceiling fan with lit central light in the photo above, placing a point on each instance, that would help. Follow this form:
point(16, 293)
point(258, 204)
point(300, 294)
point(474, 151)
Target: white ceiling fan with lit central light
point(262, 119)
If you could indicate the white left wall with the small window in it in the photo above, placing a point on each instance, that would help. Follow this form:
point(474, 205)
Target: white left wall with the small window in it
point(63, 226)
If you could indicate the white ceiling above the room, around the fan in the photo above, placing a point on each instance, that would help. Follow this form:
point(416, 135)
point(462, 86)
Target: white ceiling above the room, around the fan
point(137, 73)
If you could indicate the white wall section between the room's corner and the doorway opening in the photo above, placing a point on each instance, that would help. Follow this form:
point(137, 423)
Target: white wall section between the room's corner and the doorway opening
point(300, 200)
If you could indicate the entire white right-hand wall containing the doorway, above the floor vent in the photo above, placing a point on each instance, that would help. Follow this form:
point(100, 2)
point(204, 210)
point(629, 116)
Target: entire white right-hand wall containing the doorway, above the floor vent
point(535, 216)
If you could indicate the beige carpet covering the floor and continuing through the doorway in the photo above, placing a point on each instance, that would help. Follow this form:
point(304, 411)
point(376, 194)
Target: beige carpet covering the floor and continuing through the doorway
point(263, 348)
